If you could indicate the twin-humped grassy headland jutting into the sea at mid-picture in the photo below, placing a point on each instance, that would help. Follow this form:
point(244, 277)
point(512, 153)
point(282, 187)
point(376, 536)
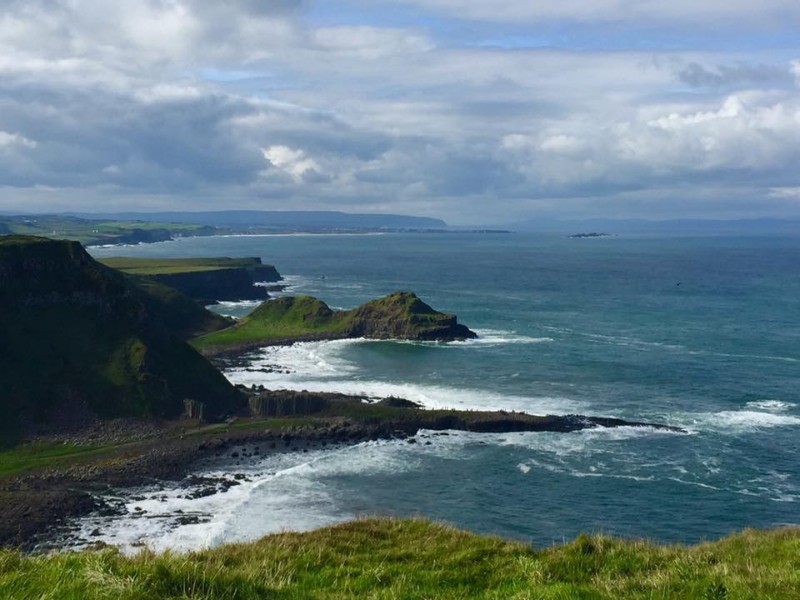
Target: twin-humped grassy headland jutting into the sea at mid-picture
point(401, 315)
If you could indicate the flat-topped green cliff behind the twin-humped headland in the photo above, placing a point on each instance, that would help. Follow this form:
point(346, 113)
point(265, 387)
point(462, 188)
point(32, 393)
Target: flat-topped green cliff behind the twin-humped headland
point(207, 280)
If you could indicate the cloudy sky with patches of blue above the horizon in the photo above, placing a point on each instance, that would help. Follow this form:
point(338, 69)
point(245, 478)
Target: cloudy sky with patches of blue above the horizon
point(475, 112)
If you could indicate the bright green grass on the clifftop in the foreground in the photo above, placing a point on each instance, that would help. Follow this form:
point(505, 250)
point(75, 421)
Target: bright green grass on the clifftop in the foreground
point(417, 559)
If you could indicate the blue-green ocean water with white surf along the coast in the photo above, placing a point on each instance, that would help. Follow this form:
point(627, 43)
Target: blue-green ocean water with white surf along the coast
point(701, 333)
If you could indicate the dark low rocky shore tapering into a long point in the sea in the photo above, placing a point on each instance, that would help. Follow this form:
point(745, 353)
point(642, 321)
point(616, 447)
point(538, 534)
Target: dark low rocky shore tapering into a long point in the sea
point(35, 503)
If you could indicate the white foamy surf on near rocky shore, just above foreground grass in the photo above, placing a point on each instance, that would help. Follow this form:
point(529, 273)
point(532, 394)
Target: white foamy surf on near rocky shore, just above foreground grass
point(279, 492)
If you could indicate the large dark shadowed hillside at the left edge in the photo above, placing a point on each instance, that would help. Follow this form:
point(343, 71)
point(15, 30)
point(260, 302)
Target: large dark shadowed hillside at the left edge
point(80, 340)
